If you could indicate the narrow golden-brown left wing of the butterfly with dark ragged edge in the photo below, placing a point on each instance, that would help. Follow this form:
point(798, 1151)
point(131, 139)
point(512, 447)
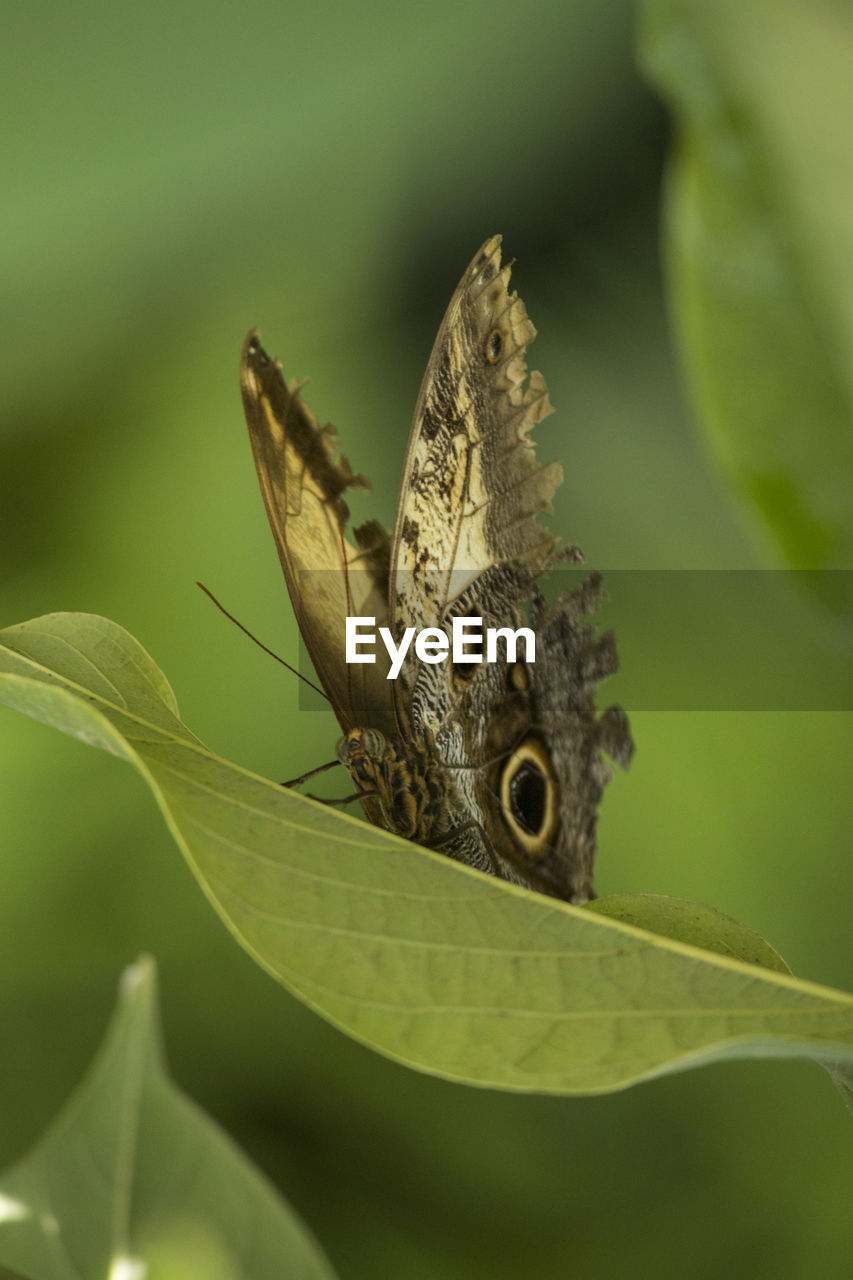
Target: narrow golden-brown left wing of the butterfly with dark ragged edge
point(327, 577)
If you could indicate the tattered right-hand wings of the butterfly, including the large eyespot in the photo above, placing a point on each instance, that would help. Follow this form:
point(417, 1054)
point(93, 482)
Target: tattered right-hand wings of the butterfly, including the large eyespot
point(521, 743)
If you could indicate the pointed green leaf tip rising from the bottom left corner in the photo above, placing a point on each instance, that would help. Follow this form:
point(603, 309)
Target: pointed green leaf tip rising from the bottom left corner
point(133, 1180)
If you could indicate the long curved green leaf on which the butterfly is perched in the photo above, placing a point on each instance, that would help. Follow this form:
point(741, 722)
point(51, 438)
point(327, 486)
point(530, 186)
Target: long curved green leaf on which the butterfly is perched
point(428, 962)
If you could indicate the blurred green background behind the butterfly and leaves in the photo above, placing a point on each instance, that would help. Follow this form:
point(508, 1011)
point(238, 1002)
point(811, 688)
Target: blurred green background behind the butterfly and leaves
point(174, 176)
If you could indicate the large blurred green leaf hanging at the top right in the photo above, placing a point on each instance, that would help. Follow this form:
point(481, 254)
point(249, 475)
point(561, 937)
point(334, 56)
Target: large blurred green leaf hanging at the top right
point(759, 240)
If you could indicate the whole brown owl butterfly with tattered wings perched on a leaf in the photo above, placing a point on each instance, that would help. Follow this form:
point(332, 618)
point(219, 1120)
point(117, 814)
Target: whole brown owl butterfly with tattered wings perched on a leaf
point(496, 765)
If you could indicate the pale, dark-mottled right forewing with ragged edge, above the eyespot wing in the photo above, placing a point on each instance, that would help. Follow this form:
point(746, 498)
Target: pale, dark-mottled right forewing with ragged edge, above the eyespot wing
point(473, 488)
